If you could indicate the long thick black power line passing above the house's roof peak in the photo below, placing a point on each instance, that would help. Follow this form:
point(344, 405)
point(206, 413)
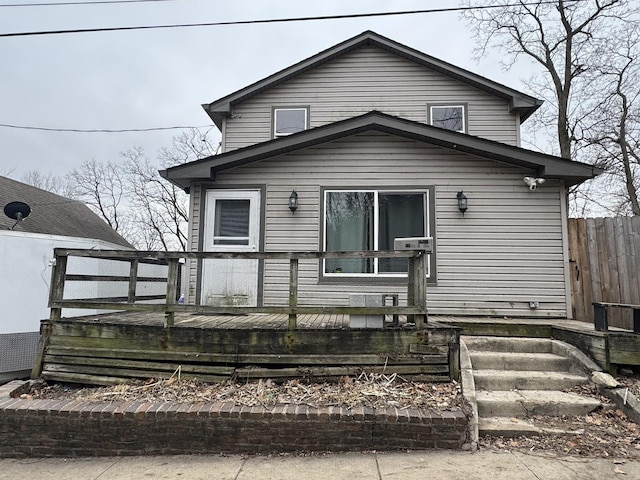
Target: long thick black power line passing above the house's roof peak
point(272, 20)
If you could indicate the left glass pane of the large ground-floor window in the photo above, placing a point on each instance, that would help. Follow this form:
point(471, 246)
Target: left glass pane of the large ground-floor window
point(349, 220)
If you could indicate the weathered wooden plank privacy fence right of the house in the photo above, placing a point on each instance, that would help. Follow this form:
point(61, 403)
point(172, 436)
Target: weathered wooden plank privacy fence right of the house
point(604, 255)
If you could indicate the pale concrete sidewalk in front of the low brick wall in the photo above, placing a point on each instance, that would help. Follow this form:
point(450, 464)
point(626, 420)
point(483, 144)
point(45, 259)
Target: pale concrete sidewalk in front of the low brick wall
point(352, 466)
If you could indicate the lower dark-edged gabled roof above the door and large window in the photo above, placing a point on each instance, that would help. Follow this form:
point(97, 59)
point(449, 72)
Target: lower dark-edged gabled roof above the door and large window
point(547, 166)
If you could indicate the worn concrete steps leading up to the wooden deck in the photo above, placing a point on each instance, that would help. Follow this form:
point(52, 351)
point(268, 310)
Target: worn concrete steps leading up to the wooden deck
point(516, 379)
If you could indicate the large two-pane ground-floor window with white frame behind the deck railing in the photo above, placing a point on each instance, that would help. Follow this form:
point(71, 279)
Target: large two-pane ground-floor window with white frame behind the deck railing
point(371, 220)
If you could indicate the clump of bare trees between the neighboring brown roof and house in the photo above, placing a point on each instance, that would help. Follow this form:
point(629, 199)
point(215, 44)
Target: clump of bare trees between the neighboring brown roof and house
point(151, 213)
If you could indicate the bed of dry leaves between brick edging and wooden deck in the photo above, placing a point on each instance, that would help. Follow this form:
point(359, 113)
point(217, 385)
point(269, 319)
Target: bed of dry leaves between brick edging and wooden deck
point(369, 390)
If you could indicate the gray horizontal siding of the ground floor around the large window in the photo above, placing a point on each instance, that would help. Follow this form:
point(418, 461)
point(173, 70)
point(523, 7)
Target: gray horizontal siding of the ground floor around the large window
point(505, 252)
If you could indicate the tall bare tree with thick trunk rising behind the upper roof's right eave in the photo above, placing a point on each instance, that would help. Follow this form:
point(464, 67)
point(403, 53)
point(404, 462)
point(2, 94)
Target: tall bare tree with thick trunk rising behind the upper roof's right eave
point(558, 37)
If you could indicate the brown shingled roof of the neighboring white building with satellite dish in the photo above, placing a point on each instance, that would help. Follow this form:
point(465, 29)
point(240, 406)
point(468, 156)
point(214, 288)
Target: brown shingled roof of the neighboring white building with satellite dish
point(54, 215)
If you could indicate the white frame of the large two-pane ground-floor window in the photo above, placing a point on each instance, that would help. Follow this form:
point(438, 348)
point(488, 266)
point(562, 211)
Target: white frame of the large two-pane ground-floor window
point(427, 196)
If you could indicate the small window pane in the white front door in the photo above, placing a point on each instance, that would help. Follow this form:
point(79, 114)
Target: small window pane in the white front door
point(231, 226)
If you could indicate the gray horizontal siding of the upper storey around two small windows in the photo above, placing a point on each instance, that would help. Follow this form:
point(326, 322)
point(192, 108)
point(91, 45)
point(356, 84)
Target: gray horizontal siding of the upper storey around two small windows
point(364, 80)
